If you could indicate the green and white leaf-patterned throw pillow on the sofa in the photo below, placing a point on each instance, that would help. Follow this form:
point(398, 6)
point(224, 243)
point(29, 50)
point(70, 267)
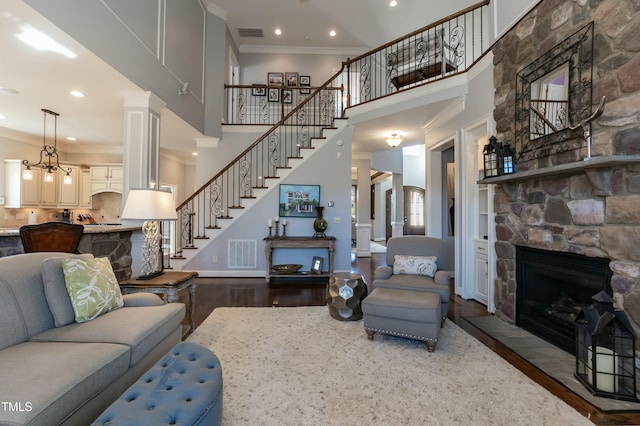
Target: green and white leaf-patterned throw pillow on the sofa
point(92, 287)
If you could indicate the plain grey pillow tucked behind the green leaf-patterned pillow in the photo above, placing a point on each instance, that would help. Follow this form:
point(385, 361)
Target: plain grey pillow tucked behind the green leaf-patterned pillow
point(55, 290)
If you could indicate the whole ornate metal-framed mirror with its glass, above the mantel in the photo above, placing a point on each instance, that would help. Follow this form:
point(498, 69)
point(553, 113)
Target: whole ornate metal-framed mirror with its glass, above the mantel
point(553, 92)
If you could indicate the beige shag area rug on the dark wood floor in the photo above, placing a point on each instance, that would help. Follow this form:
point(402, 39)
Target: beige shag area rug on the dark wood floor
point(299, 366)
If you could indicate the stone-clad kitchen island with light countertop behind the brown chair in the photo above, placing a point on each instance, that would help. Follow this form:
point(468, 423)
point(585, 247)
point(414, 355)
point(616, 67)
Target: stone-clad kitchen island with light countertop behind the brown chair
point(112, 241)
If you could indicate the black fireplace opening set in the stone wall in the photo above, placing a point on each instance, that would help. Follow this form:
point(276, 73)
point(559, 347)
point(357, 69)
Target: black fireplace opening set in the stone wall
point(552, 288)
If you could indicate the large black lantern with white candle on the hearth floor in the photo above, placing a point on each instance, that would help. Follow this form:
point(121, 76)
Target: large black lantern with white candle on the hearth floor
point(605, 350)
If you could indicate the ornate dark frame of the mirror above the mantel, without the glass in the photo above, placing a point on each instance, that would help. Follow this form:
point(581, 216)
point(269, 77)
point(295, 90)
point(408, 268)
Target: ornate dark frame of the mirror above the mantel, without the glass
point(562, 146)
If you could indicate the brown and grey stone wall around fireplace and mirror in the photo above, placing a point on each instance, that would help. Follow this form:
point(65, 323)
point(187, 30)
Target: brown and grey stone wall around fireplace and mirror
point(595, 212)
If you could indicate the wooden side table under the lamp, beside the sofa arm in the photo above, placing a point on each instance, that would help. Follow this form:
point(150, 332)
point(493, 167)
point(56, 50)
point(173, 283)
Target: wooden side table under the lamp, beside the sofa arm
point(167, 285)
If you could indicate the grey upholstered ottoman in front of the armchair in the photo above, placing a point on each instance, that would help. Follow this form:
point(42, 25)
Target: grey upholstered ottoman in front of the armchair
point(404, 313)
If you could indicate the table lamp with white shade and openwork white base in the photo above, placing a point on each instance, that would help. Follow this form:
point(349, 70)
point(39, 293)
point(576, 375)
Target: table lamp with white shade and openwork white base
point(150, 205)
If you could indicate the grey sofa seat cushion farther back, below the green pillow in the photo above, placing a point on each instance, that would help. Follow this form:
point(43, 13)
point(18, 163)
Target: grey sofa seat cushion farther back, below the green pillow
point(140, 328)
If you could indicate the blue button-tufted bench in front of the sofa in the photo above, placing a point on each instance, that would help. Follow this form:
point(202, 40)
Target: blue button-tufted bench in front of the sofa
point(182, 388)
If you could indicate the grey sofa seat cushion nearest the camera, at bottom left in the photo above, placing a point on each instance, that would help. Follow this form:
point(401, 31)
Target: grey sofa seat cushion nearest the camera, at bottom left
point(56, 378)
